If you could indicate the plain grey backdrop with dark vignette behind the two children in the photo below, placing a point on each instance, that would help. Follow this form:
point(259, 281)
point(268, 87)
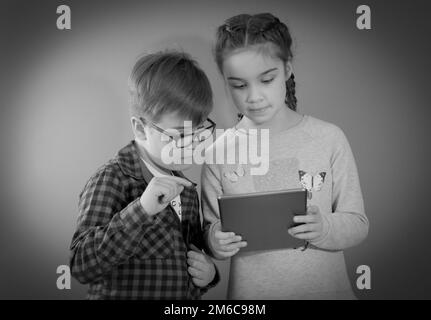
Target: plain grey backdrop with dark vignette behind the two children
point(64, 112)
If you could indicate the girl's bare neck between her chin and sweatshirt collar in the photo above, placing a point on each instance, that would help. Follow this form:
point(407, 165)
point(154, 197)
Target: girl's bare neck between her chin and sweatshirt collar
point(283, 120)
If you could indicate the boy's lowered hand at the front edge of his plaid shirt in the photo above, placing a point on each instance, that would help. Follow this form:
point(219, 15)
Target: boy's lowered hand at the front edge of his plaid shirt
point(201, 267)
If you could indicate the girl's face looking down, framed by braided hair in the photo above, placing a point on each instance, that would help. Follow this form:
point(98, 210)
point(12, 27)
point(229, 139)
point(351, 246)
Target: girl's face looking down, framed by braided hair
point(257, 83)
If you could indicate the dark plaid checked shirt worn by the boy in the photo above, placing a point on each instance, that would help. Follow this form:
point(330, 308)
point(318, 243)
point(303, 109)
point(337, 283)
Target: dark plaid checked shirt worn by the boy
point(123, 253)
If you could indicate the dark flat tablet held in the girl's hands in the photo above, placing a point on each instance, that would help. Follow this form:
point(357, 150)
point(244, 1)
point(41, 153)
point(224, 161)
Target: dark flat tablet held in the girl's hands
point(262, 218)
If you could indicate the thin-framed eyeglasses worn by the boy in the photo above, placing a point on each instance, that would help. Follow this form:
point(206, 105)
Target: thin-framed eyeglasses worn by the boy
point(199, 135)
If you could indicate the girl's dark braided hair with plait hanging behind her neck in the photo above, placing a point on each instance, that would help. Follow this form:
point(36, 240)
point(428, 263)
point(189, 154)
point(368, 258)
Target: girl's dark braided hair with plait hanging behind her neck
point(246, 30)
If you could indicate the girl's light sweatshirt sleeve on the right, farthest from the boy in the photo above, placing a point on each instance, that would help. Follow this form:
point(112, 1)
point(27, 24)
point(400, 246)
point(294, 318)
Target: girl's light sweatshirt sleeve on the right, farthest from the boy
point(347, 225)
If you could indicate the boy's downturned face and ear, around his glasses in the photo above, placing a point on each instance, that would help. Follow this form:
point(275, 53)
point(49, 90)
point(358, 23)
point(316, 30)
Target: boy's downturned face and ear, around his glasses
point(159, 146)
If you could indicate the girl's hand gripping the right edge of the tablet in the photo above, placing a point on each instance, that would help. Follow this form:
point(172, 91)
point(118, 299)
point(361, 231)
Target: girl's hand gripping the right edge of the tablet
point(313, 225)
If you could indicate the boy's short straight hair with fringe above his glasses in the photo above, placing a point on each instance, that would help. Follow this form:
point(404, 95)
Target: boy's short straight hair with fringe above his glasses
point(169, 81)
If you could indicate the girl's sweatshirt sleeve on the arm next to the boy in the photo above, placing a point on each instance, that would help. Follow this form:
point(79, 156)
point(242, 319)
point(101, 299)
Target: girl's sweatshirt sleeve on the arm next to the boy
point(211, 188)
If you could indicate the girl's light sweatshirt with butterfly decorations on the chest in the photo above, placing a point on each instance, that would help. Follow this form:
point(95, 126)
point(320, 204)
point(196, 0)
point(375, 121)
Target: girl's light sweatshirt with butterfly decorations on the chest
point(314, 155)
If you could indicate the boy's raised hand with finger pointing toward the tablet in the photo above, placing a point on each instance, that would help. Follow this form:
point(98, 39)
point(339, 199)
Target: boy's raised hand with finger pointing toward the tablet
point(160, 191)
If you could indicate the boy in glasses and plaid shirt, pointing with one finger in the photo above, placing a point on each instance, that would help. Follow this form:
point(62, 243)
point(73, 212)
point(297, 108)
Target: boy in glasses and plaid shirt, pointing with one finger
point(139, 233)
